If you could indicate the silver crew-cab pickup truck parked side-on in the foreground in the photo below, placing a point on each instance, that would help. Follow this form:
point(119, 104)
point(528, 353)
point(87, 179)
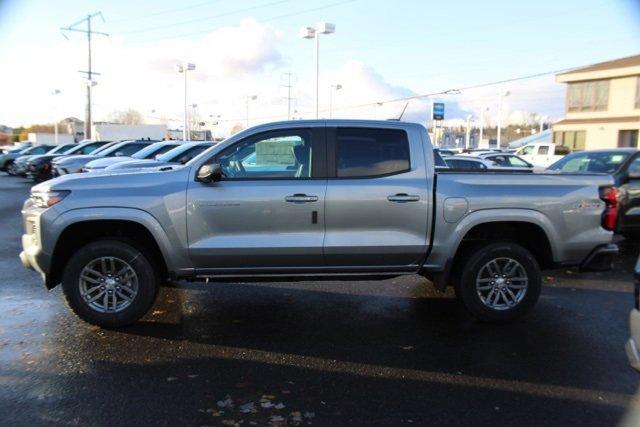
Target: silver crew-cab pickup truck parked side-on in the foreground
point(310, 199)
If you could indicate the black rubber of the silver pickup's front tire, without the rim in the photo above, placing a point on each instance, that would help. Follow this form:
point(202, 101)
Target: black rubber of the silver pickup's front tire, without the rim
point(147, 283)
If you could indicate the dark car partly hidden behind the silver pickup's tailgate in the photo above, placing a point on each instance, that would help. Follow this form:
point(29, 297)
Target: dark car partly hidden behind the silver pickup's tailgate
point(624, 165)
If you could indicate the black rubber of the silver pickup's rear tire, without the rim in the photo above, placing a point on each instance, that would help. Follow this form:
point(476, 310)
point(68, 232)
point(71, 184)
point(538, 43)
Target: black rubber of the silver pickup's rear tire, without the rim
point(475, 268)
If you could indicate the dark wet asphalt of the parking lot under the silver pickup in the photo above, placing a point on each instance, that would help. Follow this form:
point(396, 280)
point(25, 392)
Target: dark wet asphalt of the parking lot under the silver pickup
point(323, 353)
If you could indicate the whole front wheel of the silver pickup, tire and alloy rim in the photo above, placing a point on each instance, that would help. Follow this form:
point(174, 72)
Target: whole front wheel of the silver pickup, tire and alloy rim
point(109, 283)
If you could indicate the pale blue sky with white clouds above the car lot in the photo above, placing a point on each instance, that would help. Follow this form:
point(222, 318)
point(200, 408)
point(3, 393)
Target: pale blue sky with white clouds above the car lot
point(381, 51)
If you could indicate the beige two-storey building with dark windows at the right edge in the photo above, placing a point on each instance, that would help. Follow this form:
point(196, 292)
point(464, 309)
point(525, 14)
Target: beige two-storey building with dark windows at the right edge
point(602, 106)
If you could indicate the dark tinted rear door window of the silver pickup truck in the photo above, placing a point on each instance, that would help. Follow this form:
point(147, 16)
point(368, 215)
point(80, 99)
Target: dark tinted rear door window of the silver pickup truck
point(369, 153)
